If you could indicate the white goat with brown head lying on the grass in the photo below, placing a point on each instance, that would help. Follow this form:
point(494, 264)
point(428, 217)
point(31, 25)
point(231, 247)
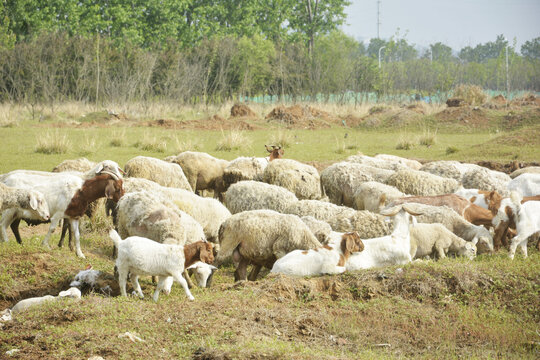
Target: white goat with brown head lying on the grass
point(329, 259)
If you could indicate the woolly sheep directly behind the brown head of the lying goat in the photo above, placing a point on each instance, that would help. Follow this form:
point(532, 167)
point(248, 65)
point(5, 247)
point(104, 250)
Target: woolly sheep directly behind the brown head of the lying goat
point(342, 218)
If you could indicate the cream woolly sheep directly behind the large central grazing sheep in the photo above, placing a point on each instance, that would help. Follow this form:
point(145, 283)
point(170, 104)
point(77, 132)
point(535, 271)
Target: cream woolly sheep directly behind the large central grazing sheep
point(254, 195)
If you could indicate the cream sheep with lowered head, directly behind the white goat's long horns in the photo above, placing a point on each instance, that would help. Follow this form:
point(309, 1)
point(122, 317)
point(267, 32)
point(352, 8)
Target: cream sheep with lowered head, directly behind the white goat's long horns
point(456, 224)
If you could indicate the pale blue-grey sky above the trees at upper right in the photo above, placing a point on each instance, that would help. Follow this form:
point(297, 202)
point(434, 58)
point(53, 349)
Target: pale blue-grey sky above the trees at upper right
point(456, 23)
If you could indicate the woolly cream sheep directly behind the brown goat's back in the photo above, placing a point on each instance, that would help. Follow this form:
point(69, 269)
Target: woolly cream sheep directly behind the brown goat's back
point(415, 182)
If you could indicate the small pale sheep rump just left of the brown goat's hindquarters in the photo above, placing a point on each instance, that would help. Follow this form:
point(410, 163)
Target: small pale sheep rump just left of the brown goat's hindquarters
point(373, 196)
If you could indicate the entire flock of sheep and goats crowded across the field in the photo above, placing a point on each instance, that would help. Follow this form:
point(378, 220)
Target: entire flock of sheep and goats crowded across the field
point(278, 213)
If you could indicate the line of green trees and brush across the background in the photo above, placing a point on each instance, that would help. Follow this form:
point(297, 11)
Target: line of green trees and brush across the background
point(100, 51)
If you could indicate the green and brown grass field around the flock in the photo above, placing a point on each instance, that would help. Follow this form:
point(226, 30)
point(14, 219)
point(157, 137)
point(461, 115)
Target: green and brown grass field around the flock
point(482, 309)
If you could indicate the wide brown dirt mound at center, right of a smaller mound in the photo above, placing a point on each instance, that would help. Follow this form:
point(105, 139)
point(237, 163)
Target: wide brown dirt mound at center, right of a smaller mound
point(297, 115)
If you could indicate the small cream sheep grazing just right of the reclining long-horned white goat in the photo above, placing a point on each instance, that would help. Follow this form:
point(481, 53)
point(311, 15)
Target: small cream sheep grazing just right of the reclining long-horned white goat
point(435, 239)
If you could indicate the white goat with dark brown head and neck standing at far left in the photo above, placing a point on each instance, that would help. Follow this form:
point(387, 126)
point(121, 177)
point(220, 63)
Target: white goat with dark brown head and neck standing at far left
point(66, 195)
